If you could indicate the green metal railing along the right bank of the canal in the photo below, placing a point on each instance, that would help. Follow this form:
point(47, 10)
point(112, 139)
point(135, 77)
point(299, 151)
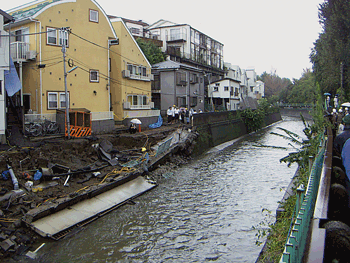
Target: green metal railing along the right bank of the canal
point(298, 233)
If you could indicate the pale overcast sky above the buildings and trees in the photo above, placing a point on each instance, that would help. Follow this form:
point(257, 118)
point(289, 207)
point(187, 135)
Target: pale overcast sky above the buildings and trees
point(269, 35)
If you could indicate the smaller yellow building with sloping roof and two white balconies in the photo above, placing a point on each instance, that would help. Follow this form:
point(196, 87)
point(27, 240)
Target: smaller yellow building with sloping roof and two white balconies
point(131, 73)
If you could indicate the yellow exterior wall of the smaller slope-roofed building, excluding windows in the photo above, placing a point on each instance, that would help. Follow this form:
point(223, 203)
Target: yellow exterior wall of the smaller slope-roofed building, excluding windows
point(121, 87)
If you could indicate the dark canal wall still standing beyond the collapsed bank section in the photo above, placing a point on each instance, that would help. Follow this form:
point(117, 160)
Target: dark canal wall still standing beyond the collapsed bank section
point(215, 128)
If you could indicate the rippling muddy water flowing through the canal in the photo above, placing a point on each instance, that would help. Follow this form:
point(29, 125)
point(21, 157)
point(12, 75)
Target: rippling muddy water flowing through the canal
point(203, 211)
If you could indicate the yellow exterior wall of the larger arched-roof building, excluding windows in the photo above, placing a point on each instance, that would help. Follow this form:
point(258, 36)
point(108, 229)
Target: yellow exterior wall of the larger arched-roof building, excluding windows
point(38, 82)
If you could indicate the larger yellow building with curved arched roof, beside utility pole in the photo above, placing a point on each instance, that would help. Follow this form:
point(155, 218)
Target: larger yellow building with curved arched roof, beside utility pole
point(39, 31)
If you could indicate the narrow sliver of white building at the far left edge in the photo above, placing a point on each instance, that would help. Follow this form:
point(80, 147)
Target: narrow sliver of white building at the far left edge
point(5, 18)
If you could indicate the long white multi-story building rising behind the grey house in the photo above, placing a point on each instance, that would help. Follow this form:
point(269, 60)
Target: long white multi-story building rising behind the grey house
point(184, 44)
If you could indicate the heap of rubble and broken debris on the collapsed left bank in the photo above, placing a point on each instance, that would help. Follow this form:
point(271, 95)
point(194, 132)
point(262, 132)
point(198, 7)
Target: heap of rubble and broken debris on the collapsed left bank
point(80, 163)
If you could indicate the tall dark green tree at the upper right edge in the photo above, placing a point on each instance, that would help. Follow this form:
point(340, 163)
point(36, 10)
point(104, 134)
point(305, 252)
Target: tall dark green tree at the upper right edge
point(331, 51)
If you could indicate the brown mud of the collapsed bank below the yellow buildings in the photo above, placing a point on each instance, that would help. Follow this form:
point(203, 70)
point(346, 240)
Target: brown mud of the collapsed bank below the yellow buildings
point(77, 155)
